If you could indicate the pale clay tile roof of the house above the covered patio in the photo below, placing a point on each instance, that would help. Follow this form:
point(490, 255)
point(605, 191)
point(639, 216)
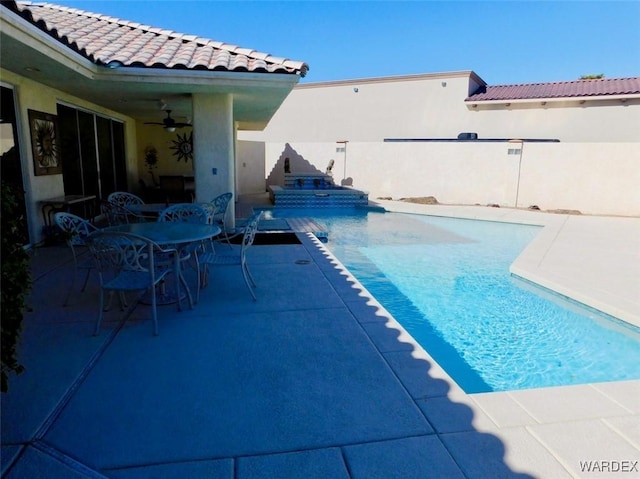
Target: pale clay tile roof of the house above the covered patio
point(104, 39)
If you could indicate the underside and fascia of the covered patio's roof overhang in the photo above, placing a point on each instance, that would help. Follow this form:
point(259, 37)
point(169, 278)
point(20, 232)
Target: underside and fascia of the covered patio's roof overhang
point(137, 90)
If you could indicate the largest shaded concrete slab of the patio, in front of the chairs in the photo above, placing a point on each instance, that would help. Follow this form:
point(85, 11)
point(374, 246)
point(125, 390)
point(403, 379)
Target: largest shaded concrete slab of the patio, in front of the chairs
point(212, 387)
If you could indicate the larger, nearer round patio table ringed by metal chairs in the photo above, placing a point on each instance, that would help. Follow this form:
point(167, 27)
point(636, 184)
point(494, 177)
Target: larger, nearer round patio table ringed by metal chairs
point(178, 235)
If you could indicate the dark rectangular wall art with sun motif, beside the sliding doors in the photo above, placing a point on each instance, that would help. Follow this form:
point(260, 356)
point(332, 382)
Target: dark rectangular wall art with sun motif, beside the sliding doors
point(44, 143)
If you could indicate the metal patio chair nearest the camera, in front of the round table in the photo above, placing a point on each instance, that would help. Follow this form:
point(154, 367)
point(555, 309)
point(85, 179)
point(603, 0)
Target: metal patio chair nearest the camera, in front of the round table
point(127, 262)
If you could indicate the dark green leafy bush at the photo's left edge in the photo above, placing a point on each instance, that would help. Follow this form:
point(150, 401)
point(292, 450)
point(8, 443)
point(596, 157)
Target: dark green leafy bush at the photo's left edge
point(15, 283)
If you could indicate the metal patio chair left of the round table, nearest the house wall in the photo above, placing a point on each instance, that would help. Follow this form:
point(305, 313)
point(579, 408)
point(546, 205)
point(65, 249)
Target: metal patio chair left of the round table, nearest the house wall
point(76, 230)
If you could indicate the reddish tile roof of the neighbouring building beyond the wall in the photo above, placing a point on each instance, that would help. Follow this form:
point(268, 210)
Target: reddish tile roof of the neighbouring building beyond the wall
point(567, 89)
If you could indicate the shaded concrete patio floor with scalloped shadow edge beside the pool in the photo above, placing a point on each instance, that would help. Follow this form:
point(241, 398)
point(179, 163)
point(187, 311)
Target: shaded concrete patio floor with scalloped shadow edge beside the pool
point(311, 380)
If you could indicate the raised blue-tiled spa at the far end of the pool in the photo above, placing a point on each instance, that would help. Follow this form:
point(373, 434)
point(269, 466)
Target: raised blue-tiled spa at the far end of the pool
point(315, 190)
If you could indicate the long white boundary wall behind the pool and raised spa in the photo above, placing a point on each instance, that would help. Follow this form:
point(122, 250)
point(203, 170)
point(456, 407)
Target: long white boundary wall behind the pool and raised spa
point(593, 178)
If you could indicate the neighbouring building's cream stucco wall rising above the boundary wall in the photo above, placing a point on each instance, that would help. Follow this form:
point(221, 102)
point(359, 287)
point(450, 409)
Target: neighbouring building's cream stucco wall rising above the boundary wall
point(433, 106)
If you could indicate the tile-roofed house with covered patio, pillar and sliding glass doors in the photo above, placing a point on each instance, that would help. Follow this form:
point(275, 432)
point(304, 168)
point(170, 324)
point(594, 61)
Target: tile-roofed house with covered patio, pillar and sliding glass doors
point(108, 86)
